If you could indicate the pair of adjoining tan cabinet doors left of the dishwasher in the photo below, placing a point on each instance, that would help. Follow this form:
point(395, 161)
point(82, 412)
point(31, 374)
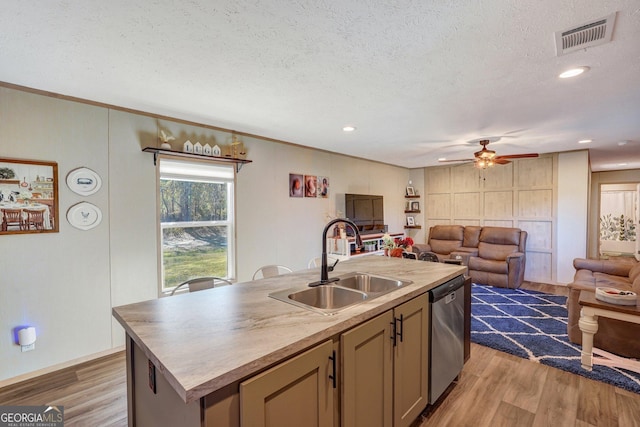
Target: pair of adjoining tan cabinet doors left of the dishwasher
point(385, 367)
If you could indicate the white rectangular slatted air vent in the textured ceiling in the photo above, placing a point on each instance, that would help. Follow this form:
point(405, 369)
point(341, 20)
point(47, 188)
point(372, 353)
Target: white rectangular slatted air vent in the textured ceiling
point(585, 35)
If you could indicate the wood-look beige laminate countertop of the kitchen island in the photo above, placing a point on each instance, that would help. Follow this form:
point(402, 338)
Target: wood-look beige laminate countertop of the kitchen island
point(204, 341)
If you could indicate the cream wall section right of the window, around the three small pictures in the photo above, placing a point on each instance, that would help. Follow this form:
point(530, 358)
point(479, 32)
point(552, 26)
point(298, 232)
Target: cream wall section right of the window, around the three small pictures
point(274, 228)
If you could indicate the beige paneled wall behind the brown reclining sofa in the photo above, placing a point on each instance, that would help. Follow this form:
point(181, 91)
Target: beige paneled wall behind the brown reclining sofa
point(520, 194)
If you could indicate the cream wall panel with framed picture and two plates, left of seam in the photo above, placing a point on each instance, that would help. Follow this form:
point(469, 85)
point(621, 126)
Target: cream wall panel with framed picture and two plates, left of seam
point(57, 282)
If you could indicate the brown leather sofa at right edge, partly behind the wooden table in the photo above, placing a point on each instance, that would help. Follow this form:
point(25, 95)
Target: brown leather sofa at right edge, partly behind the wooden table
point(614, 336)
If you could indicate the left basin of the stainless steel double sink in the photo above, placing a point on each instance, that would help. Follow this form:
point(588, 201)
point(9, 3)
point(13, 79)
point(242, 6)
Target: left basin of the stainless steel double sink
point(326, 299)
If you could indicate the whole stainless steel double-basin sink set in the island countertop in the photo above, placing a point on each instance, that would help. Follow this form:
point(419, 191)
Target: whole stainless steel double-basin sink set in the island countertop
point(350, 289)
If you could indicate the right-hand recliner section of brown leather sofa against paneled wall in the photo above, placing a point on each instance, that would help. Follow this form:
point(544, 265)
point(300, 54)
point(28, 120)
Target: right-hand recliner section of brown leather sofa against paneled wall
point(500, 260)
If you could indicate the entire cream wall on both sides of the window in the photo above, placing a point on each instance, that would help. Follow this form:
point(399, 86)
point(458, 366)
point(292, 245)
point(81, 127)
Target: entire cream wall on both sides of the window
point(66, 283)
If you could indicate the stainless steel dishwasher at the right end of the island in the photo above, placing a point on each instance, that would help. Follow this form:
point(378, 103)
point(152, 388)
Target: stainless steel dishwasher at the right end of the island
point(446, 349)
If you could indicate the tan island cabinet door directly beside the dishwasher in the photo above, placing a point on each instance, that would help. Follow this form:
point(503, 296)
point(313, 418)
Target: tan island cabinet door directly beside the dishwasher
point(410, 371)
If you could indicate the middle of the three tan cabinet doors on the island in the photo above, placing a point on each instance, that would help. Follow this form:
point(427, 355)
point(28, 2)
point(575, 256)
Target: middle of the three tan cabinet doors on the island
point(367, 377)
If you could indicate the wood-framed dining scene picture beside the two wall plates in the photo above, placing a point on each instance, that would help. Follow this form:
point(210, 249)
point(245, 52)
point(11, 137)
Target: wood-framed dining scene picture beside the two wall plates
point(28, 196)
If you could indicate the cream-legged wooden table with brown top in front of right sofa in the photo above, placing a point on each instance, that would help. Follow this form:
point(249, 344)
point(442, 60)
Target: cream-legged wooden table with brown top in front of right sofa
point(593, 308)
